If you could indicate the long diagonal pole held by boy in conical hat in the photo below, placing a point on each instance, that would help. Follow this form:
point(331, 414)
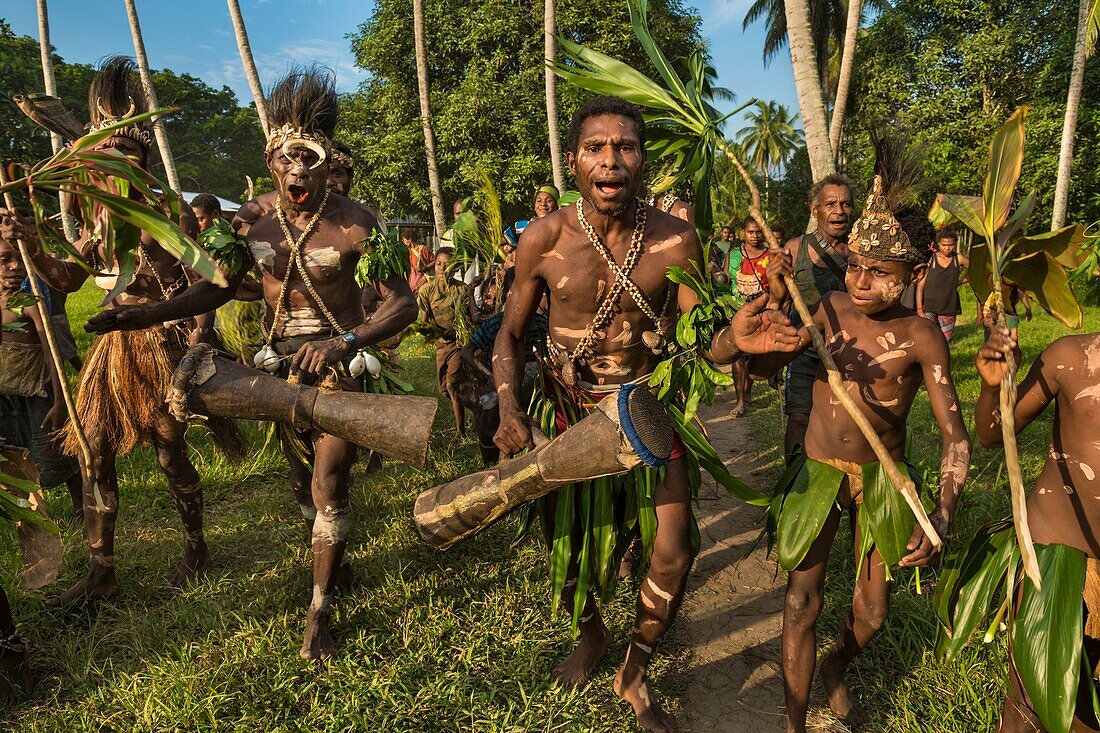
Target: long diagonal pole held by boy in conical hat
point(904, 484)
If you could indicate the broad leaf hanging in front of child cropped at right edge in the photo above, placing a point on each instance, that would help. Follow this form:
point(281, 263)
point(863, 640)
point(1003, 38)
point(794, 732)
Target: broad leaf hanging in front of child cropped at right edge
point(1047, 636)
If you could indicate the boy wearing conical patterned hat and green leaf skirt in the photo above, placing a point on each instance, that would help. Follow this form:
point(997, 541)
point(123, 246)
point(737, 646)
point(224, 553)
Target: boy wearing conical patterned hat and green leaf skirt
point(884, 353)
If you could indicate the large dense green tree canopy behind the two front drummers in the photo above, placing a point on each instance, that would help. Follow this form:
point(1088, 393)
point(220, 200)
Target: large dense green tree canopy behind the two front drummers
point(487, 93)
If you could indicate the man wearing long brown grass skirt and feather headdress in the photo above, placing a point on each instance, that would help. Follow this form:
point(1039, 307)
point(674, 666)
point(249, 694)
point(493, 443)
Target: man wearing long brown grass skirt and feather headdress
point(120, 396)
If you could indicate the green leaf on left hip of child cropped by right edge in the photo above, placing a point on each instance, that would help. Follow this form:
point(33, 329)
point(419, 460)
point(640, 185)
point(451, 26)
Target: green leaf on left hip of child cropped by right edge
point(969, 585)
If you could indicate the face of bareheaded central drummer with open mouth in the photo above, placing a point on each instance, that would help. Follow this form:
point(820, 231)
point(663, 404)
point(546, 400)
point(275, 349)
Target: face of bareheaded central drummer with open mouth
point(608, 165)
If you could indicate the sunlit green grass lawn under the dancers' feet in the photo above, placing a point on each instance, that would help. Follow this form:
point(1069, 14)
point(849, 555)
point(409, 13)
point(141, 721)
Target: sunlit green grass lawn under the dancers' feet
point(463, 641)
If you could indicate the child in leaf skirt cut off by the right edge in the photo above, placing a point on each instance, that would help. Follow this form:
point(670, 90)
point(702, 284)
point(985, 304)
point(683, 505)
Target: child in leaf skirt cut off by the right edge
point(1047, 693)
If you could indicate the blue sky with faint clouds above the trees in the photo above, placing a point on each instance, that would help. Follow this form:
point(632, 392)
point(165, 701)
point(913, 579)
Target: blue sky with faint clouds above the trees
point(199, 39)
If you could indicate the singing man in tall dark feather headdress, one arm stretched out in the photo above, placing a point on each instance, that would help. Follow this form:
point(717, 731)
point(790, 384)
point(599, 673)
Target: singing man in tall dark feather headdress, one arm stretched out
point(307, 247)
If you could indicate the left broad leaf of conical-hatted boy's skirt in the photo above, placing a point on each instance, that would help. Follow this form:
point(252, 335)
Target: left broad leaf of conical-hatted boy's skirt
point(810, 499)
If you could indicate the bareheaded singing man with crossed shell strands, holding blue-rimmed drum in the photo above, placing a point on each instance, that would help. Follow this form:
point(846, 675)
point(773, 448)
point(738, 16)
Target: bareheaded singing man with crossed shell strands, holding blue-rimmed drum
point(603, 264)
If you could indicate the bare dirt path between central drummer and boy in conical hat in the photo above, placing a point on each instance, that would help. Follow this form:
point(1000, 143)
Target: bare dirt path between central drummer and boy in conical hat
point(732, 618)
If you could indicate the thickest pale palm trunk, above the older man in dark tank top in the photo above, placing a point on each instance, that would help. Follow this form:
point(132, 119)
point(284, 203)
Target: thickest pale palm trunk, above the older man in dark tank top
point(809, 86)
